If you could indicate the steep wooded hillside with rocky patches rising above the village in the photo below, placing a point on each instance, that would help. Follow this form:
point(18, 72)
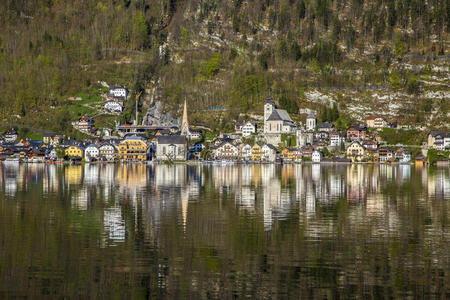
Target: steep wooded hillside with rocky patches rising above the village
point(212, 52)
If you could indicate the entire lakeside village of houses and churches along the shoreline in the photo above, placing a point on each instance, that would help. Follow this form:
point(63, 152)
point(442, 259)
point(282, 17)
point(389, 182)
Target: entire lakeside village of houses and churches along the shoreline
point(273, 138)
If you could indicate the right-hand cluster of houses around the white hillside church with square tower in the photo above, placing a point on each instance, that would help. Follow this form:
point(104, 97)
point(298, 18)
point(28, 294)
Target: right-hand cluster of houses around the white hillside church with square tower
point(316, 142)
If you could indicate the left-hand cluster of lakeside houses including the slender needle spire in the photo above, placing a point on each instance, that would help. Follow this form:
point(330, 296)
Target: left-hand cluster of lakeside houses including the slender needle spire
point(163, 144)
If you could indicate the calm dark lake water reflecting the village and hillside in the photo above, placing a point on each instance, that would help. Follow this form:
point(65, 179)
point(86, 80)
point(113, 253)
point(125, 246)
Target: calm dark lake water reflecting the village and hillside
point(251, 231)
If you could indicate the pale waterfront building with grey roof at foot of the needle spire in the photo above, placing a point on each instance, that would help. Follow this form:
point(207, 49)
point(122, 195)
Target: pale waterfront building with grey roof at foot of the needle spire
point(171, 147)
